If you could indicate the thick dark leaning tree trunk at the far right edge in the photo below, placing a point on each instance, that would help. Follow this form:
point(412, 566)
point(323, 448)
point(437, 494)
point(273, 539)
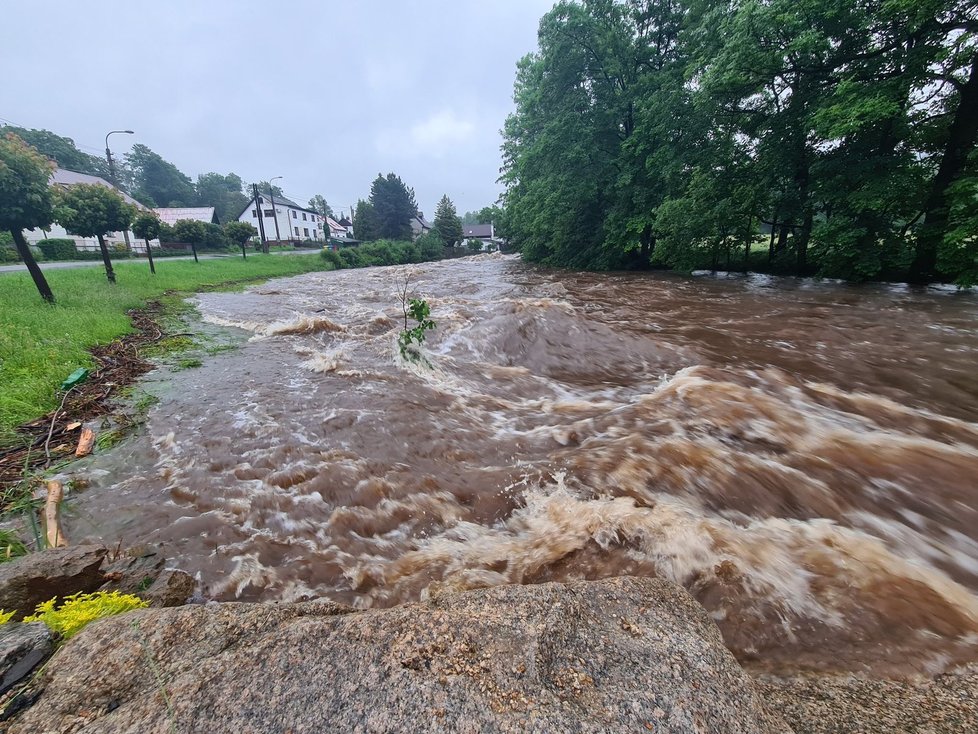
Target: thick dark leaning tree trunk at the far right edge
point(961, 139)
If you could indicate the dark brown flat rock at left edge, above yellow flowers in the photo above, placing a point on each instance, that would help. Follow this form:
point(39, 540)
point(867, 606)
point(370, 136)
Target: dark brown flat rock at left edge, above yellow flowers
point(29, 580)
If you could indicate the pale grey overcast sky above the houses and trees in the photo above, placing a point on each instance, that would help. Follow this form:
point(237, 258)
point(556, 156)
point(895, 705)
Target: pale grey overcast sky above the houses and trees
point(326, 94)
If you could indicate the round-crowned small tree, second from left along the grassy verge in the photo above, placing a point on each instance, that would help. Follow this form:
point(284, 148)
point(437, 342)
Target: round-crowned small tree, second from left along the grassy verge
point(94, 210)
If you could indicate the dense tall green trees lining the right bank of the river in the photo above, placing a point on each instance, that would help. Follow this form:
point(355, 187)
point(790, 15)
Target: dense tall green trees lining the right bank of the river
point(809, 136)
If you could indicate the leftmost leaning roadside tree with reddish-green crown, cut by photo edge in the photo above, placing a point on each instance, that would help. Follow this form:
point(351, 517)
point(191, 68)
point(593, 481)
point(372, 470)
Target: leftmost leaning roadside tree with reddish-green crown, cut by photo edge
point(25, 200)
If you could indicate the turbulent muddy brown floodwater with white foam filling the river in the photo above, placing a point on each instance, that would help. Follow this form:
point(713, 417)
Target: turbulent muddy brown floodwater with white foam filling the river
point(801, 456)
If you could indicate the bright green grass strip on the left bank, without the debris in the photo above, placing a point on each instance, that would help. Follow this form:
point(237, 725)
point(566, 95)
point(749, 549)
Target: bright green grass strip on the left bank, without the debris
point(40, 345)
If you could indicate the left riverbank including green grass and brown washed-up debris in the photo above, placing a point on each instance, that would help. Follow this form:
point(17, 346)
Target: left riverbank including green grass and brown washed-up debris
point(110, 330)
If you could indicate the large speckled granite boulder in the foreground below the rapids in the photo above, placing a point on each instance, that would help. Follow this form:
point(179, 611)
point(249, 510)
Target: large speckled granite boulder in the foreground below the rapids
point(618, 655)
